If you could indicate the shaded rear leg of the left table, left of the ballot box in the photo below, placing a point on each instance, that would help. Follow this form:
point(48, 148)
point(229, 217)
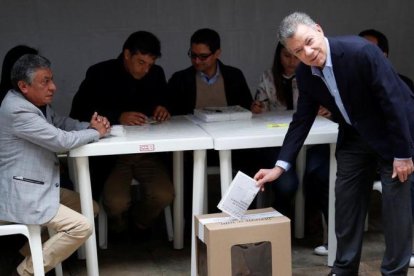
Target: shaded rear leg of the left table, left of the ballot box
point(179, 199)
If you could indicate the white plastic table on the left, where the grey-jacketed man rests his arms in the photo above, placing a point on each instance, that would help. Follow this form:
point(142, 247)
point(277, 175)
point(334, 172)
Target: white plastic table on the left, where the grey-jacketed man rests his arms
point(176, 135)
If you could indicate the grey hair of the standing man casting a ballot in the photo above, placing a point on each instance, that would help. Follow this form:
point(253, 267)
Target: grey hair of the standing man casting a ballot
point(290, 23)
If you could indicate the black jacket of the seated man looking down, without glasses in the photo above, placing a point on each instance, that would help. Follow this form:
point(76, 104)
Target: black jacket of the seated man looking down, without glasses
point(110, 90)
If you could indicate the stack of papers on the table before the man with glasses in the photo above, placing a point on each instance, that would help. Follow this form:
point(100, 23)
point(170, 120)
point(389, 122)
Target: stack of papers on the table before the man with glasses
point(223, 113)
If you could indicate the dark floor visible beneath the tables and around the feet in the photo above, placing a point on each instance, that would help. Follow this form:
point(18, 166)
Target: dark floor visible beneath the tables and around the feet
point(156, 257)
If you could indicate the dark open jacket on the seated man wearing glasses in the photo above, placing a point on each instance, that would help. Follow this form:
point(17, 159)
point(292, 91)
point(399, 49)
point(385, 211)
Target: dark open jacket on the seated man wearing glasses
point(182, 89)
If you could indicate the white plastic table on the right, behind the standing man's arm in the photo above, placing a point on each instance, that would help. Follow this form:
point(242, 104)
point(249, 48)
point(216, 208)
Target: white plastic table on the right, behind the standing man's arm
point(262, 131)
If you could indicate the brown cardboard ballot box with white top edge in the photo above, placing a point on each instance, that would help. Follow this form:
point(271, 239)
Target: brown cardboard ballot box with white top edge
point(259, 244)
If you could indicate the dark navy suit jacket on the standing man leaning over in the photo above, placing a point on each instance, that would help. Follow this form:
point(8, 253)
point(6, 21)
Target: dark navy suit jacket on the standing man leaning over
point(379, 104)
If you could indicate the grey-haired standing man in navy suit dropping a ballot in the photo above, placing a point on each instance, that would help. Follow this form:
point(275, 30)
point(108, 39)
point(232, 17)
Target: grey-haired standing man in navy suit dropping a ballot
point(375, 112)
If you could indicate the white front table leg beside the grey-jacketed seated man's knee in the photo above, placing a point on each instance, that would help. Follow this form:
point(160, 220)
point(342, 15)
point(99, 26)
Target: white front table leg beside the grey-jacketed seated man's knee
point(85, 192)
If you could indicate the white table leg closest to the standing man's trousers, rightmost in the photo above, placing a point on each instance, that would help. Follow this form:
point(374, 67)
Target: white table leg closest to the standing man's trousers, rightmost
point(331, 222)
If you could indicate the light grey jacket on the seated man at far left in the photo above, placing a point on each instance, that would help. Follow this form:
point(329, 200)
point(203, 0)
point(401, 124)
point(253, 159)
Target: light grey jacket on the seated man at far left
point(29, 167)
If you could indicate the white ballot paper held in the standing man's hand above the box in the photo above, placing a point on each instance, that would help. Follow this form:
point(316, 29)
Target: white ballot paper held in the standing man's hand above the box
point(239, 196)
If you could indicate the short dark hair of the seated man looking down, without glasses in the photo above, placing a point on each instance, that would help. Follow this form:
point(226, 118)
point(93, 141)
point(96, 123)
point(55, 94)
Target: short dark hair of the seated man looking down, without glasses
point(143, 42)
